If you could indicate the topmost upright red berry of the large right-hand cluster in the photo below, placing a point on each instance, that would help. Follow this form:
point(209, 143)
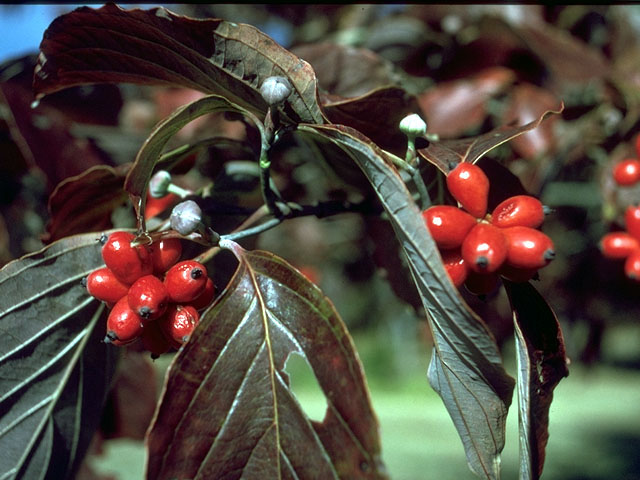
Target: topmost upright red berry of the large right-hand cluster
point(470, 187)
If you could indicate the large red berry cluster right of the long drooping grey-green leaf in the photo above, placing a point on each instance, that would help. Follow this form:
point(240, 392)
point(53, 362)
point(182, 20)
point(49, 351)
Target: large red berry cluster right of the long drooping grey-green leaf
point(478, 248)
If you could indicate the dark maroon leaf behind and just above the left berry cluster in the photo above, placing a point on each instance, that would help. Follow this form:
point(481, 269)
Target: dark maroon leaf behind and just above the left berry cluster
point(84, 203)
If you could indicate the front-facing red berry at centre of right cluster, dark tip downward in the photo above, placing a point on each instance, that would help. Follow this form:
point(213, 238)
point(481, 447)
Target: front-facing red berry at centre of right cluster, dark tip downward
point(484, 248)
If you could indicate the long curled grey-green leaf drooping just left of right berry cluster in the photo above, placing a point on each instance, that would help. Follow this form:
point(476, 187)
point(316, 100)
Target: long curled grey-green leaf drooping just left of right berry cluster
point(466, 368)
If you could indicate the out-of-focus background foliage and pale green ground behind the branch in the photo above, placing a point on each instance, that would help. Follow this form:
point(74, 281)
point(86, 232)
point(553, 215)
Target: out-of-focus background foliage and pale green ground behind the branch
point(470, 68)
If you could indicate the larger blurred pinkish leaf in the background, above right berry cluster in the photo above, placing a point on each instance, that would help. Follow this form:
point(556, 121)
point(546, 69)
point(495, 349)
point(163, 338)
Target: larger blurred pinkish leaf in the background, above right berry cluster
point(451, 108)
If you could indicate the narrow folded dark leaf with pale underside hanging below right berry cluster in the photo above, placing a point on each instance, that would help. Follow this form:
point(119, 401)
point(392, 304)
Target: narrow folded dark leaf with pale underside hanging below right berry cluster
point(542, 363)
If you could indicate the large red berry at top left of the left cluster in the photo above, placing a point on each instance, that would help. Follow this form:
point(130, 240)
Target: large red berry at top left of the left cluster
point(126, 262)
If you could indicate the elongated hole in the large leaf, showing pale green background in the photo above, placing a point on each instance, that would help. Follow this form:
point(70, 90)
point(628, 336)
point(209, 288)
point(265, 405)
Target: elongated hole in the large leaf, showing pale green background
point(305, 387)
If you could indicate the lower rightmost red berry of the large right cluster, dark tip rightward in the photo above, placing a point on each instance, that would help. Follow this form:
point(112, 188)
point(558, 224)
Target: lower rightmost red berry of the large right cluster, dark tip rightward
point(528, 247)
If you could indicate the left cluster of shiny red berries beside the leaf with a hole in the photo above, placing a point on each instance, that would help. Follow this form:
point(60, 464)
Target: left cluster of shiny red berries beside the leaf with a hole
point(152, 295)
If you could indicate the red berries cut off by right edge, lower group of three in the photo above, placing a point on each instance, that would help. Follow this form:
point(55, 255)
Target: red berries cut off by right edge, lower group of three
point(625, 244)
